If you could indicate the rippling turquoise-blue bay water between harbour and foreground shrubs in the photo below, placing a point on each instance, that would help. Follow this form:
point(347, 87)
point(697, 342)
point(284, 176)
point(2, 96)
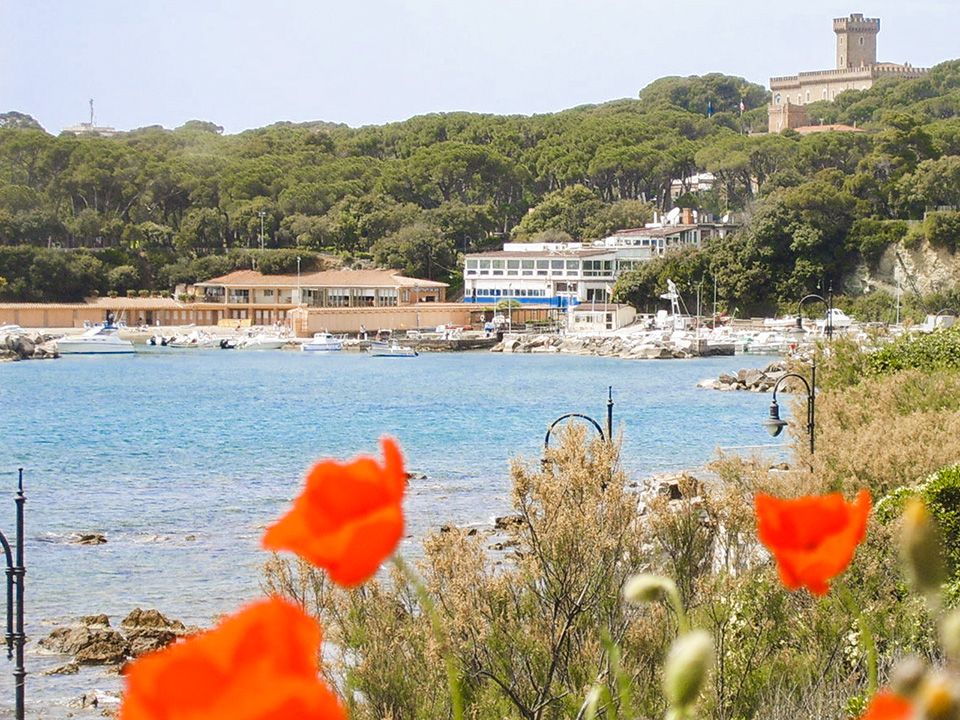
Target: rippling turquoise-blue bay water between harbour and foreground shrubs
point(181, 457)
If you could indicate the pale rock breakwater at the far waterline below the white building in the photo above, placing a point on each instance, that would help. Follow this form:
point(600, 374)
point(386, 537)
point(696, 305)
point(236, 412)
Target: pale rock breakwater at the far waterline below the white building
point(634, 348)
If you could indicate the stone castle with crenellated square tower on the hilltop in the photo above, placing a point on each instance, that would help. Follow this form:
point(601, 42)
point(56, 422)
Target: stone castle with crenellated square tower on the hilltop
point(857, 69)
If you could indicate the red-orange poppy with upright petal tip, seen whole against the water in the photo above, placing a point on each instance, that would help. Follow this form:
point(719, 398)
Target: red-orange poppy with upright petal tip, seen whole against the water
point(348, 518)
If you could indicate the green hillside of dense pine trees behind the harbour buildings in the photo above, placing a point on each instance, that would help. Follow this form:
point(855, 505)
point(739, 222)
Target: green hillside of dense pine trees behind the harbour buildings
point(152, 207)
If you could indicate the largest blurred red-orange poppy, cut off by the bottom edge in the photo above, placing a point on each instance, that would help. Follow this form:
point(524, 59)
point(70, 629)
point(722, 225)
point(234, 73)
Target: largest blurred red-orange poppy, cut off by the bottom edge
point(260, 664)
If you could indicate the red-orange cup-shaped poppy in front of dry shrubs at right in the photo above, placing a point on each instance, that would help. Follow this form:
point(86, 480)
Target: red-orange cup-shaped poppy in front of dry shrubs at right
point(813, 539)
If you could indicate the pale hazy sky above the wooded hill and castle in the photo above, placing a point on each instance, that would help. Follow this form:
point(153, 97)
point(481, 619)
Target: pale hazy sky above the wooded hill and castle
point(245, 64)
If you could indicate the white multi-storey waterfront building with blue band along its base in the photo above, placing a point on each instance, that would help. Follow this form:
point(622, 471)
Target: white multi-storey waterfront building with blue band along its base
point(562, 274)
